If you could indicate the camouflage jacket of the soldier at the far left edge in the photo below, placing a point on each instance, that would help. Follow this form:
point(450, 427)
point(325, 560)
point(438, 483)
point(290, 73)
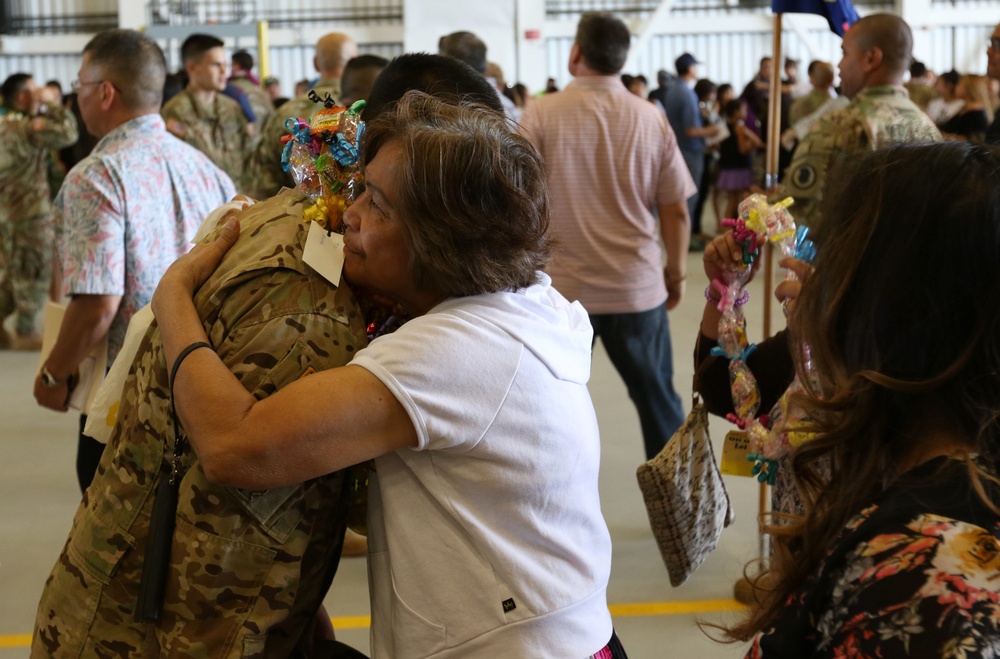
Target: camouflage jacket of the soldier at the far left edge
point(25, 145)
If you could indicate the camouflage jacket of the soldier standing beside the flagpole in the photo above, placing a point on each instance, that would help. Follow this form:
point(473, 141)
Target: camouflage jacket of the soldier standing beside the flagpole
point(876, 117)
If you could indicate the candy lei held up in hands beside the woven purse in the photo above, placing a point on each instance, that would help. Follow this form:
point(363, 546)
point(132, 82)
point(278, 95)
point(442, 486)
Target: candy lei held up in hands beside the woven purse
point(758, 223)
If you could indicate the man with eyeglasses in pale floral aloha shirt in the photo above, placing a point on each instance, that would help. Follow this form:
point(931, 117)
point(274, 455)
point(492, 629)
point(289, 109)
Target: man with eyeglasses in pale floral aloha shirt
point(123, 214)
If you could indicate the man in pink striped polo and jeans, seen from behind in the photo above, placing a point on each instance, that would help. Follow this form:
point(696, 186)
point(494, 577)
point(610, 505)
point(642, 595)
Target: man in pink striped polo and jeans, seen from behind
point(613, 164)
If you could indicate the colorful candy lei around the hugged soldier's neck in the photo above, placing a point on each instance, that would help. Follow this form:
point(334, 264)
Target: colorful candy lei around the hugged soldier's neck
point(323, 156)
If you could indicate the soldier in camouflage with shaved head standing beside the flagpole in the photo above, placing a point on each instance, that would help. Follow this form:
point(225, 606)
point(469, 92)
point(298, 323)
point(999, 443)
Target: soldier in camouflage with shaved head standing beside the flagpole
point(877, 52)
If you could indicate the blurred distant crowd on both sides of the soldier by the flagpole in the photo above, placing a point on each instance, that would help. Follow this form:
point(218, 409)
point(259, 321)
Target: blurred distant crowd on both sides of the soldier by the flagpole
point(727, 138)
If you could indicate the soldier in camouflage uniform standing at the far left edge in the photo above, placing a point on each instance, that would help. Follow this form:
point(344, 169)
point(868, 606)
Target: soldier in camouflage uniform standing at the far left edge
point(27, 137)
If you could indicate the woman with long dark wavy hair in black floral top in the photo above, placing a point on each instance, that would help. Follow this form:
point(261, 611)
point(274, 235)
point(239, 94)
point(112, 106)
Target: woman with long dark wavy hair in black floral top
point(897, 551)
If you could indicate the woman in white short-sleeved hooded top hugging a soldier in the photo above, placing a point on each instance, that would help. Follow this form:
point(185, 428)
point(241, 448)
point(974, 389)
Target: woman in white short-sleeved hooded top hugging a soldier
point(486, 533)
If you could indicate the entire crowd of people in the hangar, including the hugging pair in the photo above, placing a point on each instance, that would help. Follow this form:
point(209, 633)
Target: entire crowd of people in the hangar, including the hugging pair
point(437, 380)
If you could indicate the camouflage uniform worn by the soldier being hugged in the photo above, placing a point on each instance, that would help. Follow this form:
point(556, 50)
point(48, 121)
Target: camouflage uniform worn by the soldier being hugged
point(248, 569)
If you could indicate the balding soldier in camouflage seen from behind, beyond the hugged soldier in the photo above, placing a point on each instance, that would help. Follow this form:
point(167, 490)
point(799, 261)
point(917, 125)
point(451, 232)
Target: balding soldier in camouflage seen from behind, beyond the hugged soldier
point(333, 51)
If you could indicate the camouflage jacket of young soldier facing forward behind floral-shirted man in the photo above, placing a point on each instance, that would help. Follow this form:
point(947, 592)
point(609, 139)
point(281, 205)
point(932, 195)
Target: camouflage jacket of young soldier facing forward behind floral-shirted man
point(220, 131)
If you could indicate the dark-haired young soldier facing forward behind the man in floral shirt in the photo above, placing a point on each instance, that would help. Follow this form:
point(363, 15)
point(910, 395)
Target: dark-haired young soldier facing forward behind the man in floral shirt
point(203, 117)
